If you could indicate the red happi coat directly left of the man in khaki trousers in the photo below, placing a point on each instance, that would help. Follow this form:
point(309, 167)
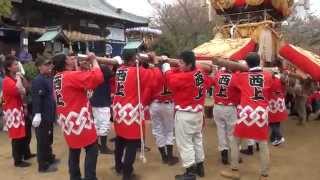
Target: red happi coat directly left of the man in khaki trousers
point(223, 93)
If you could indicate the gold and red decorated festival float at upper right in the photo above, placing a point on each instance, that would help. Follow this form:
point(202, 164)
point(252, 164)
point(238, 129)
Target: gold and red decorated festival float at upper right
point(254, 26)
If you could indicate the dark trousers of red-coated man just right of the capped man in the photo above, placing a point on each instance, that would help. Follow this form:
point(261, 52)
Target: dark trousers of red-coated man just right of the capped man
point(89, 164)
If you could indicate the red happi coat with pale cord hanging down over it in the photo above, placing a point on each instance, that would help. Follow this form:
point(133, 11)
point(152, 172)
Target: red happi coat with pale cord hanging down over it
point(125, 103)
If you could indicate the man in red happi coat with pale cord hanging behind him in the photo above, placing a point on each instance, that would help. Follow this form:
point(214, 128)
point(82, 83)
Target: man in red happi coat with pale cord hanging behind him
point(128, 112)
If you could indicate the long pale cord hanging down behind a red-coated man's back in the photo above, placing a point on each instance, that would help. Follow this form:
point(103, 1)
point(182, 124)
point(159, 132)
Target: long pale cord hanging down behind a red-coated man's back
point(142, 153)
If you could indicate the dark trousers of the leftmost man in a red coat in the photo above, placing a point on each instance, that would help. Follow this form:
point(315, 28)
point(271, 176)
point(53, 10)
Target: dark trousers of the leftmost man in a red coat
point(18, 149)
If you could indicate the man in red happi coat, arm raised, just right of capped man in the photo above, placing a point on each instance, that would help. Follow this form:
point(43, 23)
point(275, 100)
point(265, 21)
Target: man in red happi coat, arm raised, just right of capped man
point(74, 111)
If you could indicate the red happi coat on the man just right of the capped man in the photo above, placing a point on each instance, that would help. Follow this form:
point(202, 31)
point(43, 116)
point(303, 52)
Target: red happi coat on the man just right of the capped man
point(74, 111)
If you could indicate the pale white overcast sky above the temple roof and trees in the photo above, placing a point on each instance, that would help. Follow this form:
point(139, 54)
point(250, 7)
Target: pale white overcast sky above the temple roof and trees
point(142, 8)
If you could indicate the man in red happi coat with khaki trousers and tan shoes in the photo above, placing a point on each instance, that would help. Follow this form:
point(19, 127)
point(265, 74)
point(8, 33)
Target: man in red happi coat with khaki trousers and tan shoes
point(255, 88)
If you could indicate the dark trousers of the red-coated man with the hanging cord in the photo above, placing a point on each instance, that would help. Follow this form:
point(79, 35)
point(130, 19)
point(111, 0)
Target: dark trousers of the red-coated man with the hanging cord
point(125, 149)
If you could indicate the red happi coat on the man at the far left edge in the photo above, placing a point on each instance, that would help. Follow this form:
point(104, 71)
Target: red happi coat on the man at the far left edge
point(13, 109)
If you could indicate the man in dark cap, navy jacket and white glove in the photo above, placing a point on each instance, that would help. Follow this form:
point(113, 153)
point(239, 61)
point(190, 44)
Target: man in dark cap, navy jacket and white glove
point(43, 107)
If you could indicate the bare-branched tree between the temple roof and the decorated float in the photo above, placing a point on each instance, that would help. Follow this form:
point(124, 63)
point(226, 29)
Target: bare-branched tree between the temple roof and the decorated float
point(184, 24)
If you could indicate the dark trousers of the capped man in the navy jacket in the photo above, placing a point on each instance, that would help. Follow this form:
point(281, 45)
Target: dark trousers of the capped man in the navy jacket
point(44, 135)
